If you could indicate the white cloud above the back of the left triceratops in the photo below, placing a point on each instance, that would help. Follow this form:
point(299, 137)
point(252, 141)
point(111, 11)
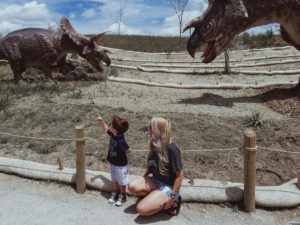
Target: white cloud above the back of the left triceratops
point(31, 14)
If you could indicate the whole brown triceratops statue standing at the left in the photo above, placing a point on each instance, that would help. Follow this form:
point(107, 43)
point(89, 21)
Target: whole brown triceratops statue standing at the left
point(34, 47)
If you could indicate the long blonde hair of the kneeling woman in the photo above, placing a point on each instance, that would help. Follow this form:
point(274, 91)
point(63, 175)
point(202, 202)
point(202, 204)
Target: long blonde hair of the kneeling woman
point(159, 140)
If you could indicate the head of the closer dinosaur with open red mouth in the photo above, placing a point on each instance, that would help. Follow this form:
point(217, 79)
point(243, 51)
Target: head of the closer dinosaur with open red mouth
point(216, 27)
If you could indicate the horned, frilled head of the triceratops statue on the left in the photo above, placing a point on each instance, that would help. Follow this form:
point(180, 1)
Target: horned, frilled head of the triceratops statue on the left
point(86, 47)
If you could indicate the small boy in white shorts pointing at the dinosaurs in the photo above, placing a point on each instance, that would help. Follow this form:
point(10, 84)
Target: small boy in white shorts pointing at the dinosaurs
point(117, 157)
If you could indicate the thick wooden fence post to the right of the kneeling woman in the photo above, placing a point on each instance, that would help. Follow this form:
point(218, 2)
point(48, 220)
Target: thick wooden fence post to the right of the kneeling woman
point(249, 169)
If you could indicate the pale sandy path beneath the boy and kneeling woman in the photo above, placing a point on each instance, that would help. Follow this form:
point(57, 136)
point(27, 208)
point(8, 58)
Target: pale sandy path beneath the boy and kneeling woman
point(30, 202)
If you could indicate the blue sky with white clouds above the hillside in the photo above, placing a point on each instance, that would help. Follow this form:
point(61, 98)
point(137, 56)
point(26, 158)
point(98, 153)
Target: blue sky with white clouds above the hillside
point(146, 17)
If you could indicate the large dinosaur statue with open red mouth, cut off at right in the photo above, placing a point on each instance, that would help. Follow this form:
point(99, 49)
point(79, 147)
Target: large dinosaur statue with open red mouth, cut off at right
point(224, 19)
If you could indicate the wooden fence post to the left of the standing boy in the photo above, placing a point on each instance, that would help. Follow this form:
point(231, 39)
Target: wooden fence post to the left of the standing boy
point(80, 159)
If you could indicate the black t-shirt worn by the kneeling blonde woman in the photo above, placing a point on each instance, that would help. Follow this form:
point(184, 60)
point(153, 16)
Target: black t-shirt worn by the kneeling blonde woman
point(172, 166)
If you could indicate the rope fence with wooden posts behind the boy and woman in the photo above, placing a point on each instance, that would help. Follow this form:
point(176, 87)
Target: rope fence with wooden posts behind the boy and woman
point(250, 149)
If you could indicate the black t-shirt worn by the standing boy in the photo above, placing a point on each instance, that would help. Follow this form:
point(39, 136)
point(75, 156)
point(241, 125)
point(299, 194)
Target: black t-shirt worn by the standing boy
point(116, 150)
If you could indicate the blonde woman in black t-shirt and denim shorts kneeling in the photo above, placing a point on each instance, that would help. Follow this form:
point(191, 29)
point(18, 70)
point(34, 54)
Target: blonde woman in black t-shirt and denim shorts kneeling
point(162, 189)
